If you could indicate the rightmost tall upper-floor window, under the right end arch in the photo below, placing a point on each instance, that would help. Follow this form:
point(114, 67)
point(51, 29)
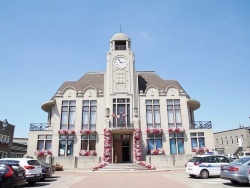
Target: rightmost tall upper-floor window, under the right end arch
point(174, 113)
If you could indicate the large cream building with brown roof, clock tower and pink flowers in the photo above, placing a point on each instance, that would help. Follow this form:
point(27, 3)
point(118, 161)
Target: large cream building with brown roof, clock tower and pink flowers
point(120, 116)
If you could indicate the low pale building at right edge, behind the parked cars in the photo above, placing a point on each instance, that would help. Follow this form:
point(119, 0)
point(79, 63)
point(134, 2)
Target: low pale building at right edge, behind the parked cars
point(232, 141)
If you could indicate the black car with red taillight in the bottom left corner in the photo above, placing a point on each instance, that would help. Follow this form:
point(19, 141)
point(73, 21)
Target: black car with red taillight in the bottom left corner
point(12, 175)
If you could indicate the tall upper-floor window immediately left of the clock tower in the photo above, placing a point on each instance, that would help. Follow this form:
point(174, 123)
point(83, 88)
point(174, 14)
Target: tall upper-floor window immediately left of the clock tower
point(89, 114)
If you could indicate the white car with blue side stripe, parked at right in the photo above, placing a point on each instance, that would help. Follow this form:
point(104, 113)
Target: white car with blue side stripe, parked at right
point(205, 166)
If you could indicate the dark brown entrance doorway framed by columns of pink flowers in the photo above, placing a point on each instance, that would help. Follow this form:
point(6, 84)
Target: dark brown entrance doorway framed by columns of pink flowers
point(121, 148)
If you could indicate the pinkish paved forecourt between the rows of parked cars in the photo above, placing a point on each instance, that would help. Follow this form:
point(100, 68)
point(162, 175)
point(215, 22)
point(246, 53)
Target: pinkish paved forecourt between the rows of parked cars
point(155, 179)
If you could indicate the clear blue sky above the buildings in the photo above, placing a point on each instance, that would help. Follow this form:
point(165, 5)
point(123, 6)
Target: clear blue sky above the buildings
point(204, 45)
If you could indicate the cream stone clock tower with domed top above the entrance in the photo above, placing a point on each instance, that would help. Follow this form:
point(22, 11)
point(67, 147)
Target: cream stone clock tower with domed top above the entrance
point(120, 79)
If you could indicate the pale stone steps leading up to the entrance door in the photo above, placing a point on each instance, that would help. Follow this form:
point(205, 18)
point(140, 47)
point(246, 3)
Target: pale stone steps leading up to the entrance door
point(123, 167)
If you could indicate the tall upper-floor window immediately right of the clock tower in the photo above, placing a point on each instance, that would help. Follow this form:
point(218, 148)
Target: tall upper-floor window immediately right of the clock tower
point(153, 114)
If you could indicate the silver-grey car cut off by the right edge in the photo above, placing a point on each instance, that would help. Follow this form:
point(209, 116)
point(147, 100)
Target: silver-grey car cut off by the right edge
point(236, 171)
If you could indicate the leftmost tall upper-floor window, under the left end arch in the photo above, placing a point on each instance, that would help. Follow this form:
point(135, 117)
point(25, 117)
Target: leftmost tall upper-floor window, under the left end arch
point(68, 115)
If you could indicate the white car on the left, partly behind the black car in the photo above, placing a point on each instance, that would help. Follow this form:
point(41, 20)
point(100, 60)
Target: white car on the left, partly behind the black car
point(33, 169)
